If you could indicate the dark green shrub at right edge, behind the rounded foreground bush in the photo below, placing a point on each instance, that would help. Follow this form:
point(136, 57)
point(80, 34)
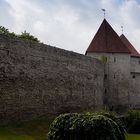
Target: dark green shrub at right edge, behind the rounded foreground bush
point(132, 121)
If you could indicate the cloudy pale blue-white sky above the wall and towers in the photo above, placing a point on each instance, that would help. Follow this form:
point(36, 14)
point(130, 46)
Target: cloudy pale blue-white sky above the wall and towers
point(71, 24)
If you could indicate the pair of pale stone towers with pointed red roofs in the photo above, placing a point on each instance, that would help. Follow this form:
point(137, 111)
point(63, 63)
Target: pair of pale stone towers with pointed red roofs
point(121, 67)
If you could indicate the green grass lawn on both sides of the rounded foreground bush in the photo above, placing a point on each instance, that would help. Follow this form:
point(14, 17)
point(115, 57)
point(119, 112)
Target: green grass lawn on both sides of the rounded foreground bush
point(33, 130)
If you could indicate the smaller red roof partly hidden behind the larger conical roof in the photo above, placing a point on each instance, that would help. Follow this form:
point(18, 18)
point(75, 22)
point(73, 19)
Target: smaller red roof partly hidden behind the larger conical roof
point(129, 46)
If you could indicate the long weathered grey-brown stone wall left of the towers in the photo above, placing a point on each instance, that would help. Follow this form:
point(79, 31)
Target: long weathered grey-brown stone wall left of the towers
point(39, 80)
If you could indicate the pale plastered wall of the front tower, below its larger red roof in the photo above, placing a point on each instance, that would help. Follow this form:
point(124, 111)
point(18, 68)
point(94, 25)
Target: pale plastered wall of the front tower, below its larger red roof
point(116, 79)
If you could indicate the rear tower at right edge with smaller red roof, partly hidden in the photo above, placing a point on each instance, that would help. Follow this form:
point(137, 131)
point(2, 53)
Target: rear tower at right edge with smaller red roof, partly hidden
point(134, 74)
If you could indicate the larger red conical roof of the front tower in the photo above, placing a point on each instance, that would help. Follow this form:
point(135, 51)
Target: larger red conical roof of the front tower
point(106, 40)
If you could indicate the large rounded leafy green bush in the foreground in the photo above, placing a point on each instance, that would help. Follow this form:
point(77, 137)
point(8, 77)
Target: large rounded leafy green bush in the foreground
point(84, 127)
